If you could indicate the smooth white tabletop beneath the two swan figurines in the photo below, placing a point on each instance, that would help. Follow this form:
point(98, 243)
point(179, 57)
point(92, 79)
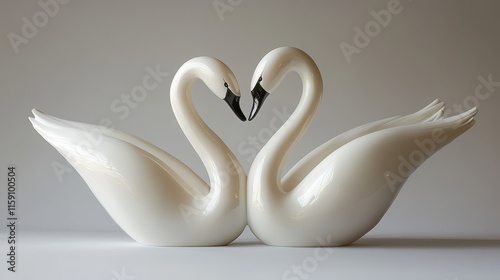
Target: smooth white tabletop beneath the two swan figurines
point(113, 255)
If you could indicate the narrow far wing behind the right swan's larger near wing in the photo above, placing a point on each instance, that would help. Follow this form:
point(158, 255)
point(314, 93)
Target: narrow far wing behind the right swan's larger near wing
point(432, 112)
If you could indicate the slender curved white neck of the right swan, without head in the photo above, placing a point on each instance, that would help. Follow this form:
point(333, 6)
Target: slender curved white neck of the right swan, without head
point(272, 157)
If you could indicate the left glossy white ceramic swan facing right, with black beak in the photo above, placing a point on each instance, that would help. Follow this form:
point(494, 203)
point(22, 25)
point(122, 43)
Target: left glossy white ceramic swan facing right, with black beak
point(151, 195)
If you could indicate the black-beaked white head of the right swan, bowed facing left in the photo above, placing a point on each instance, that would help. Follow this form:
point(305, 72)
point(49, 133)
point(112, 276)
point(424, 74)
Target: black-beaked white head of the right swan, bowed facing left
point(271, 70)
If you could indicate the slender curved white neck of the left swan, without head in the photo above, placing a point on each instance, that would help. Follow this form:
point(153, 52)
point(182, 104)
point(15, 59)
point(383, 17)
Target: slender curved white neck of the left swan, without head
point(223, 168)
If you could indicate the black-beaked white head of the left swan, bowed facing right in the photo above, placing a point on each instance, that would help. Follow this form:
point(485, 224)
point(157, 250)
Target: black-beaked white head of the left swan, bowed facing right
point(218, 78)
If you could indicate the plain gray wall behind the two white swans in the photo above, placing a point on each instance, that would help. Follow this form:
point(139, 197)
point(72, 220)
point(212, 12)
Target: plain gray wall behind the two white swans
point(91, 52)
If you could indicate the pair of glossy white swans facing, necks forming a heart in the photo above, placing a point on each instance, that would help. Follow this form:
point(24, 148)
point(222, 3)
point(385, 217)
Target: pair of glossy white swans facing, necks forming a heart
point(335, 194)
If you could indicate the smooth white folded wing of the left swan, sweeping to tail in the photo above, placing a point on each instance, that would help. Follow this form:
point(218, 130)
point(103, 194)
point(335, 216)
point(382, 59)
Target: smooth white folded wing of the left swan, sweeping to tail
point(138, 184)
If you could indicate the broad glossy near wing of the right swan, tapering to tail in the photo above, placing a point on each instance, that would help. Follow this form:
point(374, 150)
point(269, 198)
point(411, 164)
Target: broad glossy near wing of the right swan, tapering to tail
point(355, 185)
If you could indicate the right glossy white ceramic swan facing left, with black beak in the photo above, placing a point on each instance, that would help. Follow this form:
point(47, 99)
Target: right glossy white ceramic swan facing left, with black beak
point(342, 189)
